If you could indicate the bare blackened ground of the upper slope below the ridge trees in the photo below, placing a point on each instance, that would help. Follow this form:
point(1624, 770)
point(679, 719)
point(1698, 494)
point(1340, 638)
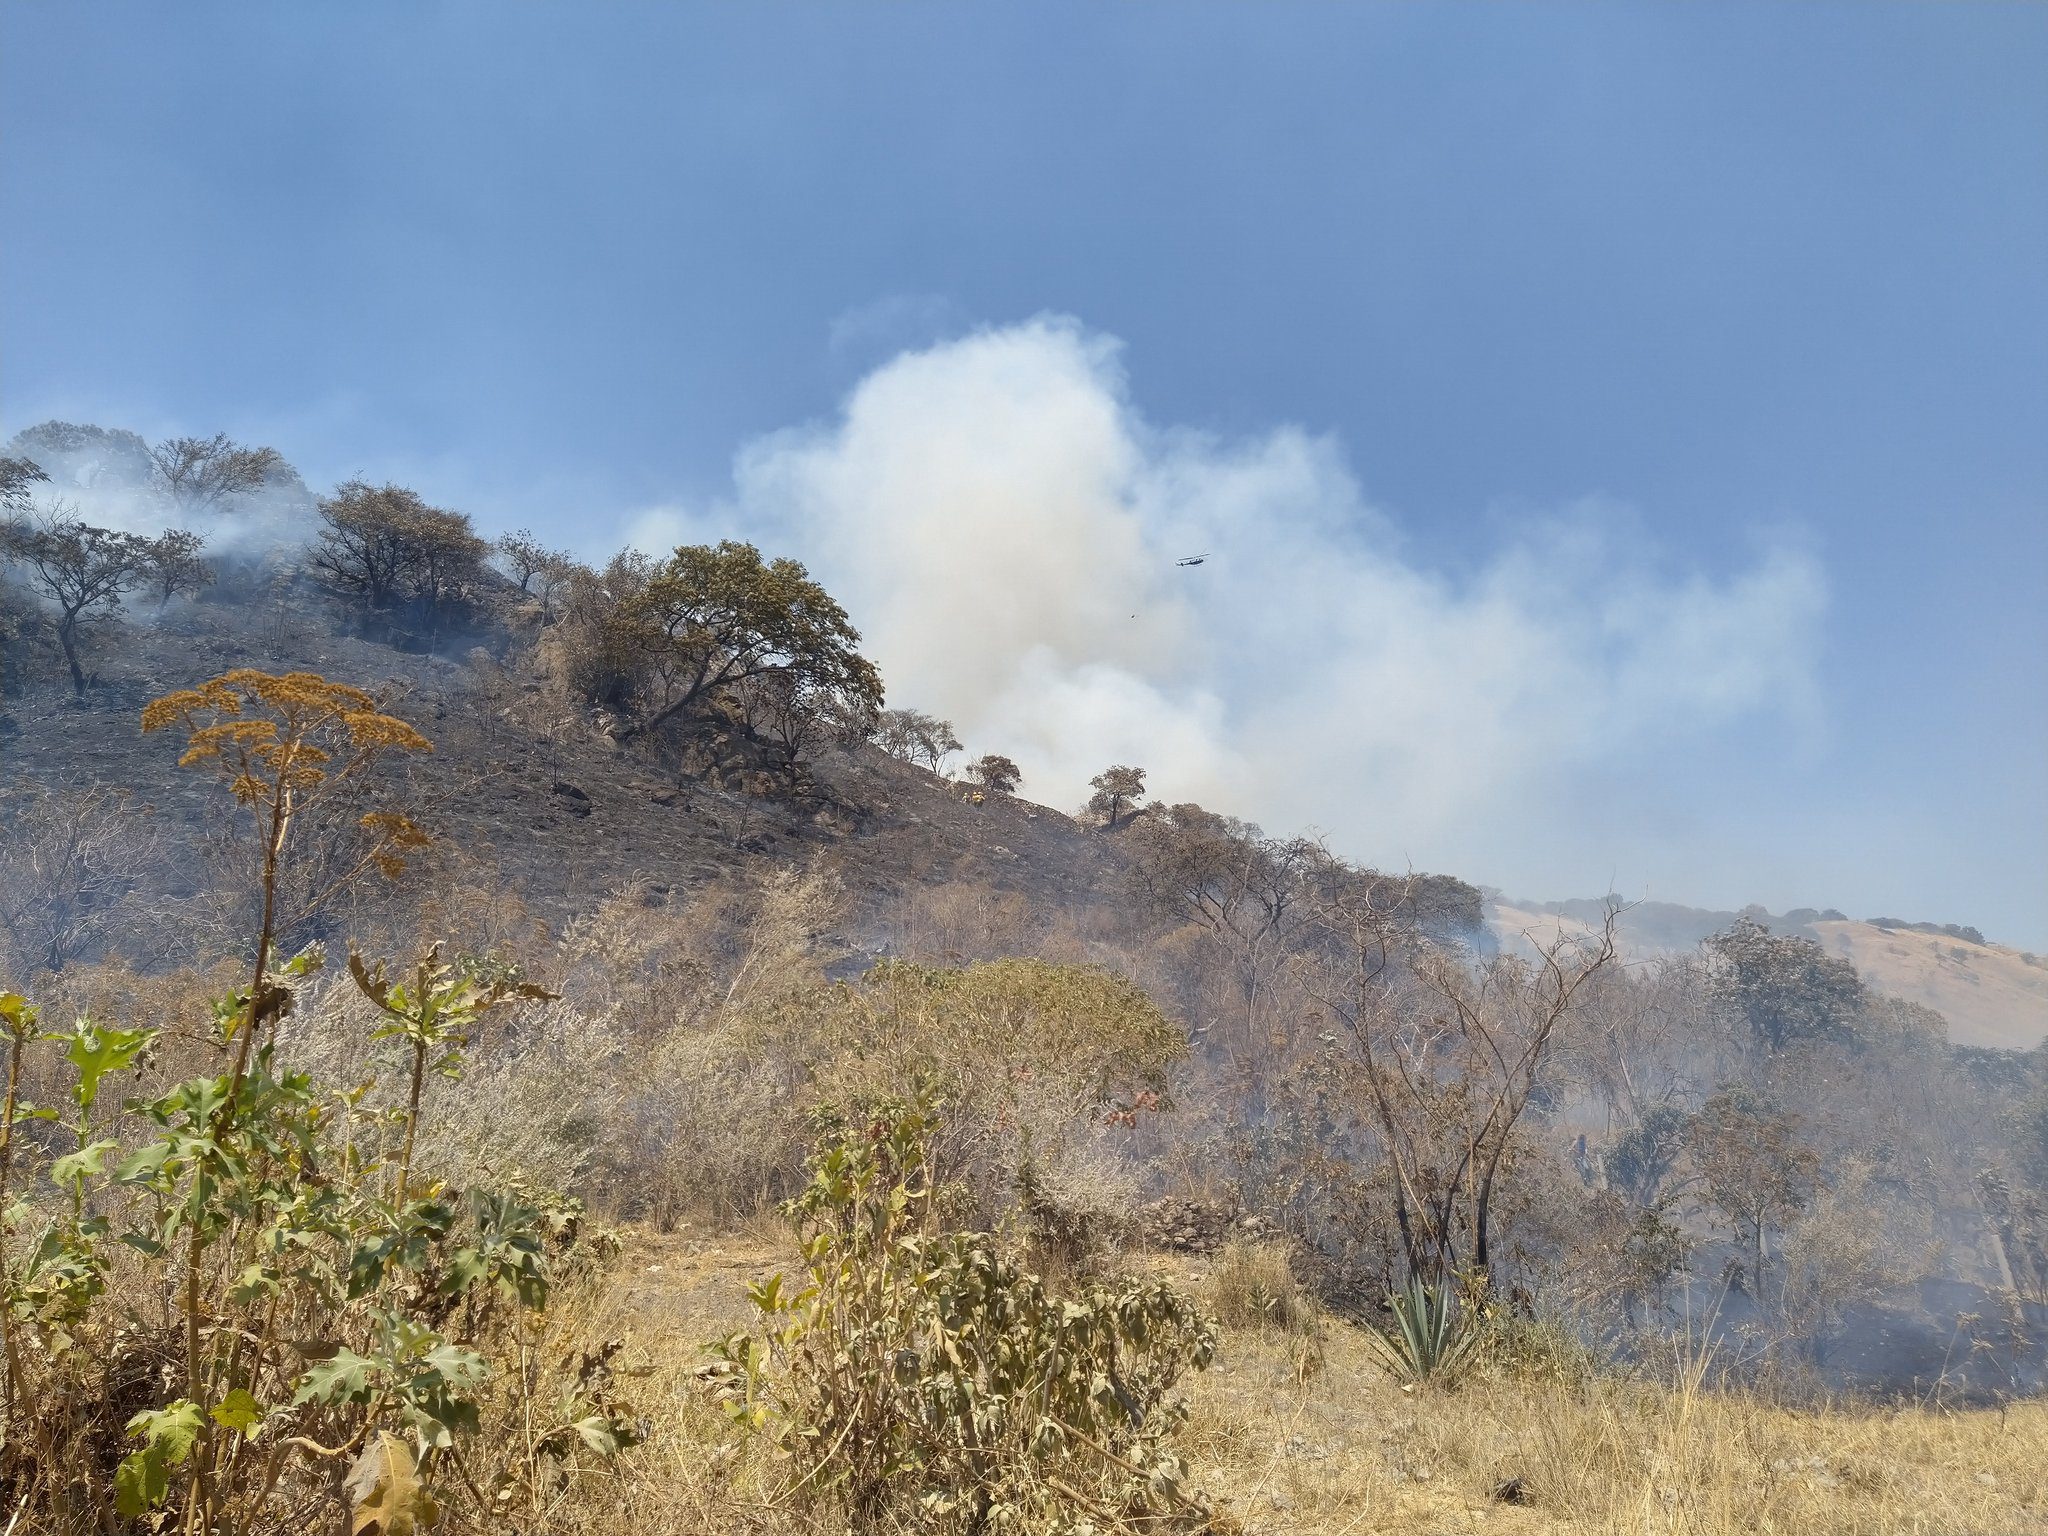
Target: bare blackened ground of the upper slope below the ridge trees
point(540, 800)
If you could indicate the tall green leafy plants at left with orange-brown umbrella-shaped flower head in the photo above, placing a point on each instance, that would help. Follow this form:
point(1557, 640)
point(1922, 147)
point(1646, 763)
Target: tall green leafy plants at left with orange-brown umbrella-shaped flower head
point(296, 1293)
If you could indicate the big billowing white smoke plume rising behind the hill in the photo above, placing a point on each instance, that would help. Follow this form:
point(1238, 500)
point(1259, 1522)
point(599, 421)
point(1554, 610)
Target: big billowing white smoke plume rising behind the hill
point(1005, 529)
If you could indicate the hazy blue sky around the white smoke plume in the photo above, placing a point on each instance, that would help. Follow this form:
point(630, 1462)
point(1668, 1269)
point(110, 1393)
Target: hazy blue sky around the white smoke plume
point(1734, 278)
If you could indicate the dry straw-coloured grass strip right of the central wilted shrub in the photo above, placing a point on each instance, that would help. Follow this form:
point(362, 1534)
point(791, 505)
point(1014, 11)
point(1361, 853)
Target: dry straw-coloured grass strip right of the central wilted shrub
point(1351, 1453)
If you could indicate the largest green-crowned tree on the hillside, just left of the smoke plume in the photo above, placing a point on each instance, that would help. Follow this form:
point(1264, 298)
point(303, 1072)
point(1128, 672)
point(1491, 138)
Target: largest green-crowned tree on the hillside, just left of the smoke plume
point(714, 617)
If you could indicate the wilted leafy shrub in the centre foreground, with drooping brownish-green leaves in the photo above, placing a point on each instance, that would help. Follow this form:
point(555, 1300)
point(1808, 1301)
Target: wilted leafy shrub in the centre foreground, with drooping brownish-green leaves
point(919, 1375)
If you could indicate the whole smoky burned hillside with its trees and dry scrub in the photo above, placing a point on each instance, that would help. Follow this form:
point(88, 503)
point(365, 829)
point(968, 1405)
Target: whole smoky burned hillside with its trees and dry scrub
point(708, 888)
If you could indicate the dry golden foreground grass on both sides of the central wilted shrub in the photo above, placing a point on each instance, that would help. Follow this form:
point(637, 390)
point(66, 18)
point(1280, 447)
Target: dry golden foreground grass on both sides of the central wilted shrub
point(1342, 1451)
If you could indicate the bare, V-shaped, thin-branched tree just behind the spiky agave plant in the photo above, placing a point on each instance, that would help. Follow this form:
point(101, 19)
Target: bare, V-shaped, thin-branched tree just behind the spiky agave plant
point(1449, 1054)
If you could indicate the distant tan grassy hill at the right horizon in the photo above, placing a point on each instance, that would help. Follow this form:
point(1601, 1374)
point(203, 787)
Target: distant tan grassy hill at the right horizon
point(1990, 994)
